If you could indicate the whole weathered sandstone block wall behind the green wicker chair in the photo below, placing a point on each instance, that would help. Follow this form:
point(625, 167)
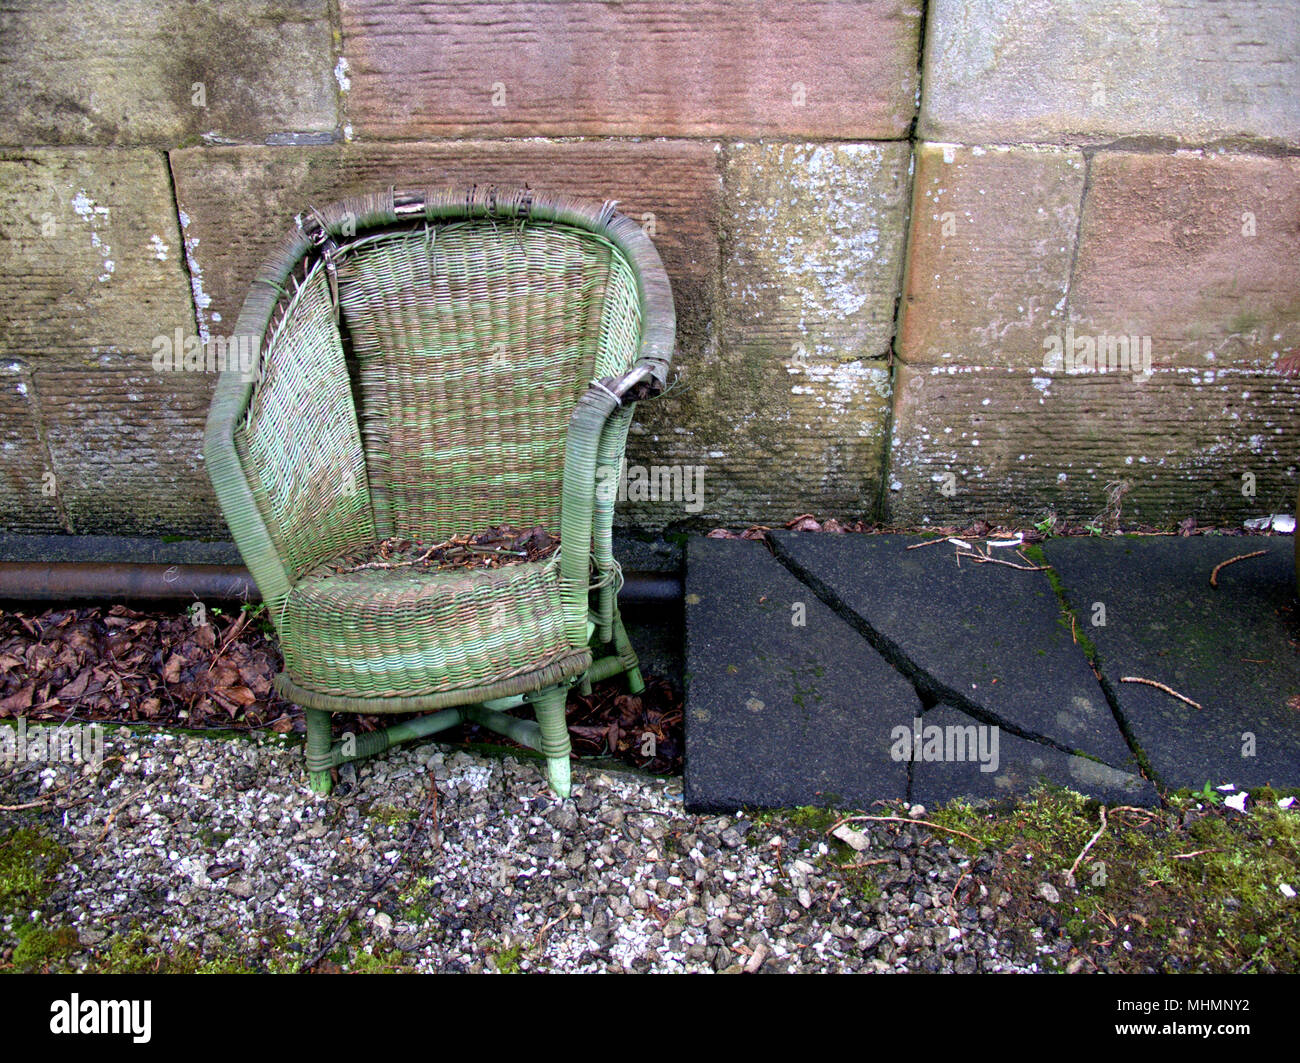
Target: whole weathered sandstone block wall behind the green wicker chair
point(883, 223)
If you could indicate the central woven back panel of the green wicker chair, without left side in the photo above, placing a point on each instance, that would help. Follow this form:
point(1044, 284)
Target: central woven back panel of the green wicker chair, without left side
point(473, 342)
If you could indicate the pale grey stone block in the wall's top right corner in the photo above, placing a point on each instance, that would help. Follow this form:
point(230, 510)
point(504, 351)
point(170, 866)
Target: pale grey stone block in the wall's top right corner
point(1042, 71)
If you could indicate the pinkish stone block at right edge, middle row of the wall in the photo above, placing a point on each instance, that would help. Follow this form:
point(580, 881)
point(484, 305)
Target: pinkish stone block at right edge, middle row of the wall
point(1193, 253)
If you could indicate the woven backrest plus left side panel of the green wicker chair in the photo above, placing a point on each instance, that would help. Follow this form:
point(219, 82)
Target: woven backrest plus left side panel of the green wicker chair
point(419, 380)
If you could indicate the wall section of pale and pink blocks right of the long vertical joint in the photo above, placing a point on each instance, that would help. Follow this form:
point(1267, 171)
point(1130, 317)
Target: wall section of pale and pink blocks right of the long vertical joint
point(1106, 175)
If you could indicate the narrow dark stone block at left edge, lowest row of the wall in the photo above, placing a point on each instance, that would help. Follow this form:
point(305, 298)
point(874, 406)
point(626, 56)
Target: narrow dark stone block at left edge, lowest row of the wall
point(28, 488)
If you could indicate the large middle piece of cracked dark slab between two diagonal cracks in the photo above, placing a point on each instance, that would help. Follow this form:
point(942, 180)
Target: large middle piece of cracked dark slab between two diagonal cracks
point(983, 639)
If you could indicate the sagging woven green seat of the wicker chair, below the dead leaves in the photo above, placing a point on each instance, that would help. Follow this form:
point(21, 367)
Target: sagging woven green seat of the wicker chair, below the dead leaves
point(404, 634)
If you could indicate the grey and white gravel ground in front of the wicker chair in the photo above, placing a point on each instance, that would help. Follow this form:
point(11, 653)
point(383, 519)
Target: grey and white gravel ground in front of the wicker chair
point(436, 860)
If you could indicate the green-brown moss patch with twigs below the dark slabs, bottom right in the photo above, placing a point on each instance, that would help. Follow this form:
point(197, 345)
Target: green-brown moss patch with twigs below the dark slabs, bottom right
point(1193, 888)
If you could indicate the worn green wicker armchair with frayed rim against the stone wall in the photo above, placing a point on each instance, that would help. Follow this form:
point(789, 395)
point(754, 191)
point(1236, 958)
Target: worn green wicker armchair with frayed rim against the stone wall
point(434, 365)
